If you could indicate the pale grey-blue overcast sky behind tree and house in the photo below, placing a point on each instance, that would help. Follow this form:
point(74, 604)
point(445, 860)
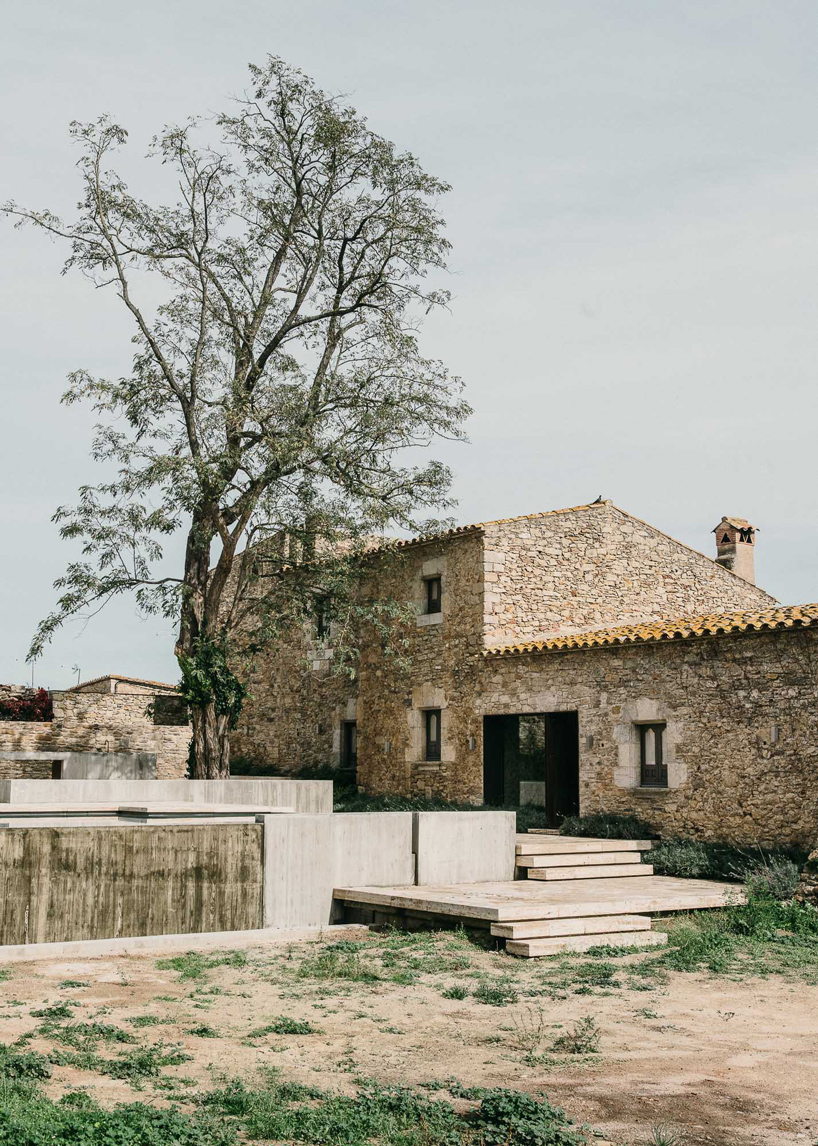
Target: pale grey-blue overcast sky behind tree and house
point(635, 265)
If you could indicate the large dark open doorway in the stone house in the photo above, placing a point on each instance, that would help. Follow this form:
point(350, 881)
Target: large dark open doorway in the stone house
point(533, 758)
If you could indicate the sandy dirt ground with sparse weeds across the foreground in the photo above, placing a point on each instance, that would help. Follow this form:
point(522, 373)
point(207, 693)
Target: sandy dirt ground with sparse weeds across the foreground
point(732, 1062)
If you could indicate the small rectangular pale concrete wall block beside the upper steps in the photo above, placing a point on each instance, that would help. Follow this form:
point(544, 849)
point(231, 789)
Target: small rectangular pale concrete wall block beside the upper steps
point(465, 847)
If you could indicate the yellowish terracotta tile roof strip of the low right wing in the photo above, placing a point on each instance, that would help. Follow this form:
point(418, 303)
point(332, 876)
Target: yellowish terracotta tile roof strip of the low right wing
point(682, 629)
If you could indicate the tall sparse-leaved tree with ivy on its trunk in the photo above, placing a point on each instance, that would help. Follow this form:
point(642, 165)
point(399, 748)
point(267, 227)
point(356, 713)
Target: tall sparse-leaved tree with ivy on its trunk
point(276, 386)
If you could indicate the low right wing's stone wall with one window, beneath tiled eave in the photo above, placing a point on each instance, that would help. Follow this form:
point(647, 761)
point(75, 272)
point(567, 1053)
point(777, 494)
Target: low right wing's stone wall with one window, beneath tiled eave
point(742, 736)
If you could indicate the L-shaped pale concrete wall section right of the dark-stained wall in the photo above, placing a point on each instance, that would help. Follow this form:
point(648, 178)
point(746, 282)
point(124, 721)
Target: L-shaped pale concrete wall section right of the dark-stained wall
point(308, 857)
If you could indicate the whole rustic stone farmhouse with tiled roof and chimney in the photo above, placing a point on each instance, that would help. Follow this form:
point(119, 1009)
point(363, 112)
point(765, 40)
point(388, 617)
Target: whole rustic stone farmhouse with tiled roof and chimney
point(579, 660)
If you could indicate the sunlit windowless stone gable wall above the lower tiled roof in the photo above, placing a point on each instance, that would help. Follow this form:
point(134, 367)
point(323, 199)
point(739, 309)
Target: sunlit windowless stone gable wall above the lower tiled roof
point(596, 568)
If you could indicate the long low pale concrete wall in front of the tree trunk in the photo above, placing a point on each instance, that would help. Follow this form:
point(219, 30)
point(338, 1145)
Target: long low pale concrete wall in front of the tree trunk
point(270, 791)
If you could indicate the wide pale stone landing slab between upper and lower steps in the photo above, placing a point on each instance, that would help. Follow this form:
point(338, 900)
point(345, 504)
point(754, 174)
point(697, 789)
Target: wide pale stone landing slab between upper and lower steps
point(561, 900)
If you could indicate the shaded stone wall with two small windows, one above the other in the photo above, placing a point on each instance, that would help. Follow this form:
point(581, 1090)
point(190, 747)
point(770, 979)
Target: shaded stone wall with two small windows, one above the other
point(445, 653)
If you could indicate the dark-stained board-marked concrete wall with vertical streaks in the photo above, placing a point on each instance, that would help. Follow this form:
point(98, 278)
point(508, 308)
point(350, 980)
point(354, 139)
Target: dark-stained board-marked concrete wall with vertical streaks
point(103, 883)
